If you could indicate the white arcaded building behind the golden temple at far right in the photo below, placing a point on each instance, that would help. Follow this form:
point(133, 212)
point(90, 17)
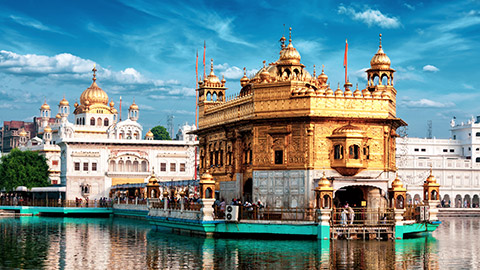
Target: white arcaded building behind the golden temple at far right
point(455, 163)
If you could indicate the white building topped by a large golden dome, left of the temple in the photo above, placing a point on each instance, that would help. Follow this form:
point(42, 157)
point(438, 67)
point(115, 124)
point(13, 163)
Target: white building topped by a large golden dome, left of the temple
point(98, 150)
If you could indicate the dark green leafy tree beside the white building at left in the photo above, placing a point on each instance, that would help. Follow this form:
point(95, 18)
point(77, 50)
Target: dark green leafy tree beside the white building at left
point(23, 168)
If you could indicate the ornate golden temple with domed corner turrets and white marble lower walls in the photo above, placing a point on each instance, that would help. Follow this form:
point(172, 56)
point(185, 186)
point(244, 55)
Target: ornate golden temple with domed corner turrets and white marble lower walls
point(285, 125)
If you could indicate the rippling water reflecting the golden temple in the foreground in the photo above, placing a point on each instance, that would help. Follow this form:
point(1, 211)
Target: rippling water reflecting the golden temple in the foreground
point(115, 243)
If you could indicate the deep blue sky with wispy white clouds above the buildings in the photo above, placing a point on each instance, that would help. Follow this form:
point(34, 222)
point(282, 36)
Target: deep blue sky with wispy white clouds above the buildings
point(146, 50)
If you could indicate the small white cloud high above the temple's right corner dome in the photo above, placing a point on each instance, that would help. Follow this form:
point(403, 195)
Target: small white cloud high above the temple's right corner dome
point(370, 17)
